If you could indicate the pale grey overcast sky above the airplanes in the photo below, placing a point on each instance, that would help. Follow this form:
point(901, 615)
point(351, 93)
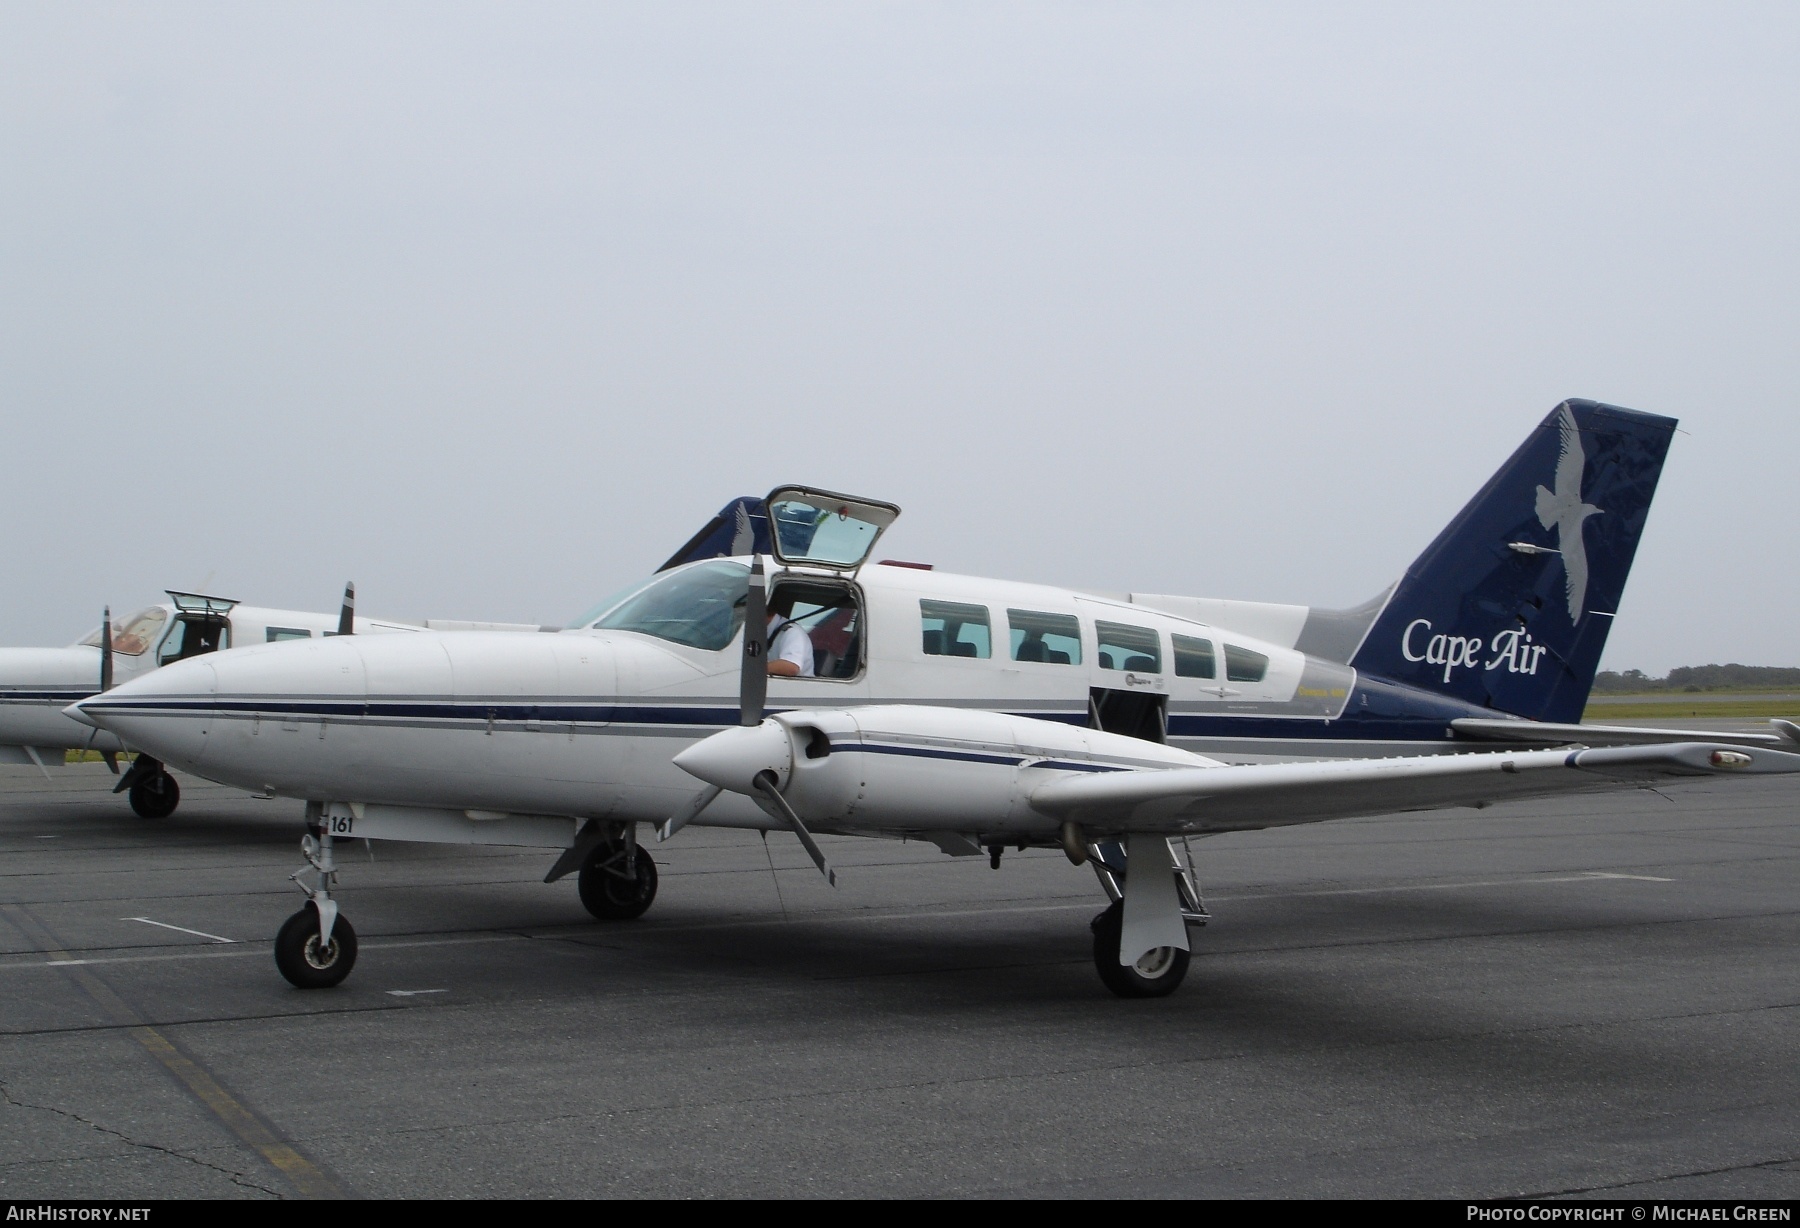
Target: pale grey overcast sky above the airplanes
point(490, 307)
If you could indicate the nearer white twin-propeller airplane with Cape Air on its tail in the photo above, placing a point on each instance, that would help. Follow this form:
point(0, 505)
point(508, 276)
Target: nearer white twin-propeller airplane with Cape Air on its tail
point(971, 714)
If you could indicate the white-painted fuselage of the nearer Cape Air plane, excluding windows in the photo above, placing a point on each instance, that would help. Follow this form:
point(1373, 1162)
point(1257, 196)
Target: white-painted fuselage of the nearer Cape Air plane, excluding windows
point(586, 723)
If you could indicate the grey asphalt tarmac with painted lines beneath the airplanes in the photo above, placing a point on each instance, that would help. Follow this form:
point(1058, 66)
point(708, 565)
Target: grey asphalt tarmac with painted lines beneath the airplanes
point(1570, 998)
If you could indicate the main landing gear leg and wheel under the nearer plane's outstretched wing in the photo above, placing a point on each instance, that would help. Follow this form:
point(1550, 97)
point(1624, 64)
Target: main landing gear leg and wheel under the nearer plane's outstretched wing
point(1144, 953)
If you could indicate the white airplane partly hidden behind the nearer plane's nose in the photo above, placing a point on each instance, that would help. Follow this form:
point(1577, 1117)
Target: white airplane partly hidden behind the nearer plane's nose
point(37, 685)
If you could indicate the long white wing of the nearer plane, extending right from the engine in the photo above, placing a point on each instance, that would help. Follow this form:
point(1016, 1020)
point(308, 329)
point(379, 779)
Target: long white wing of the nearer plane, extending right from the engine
point(1200, 800)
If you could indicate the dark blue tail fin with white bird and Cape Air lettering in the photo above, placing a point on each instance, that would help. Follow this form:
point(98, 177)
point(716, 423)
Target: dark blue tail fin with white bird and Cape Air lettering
point(1511, 606)
